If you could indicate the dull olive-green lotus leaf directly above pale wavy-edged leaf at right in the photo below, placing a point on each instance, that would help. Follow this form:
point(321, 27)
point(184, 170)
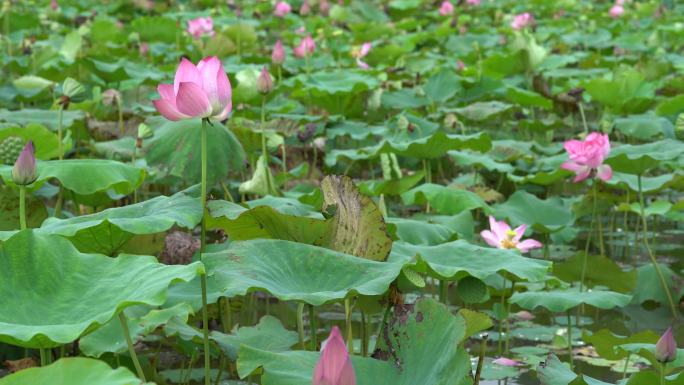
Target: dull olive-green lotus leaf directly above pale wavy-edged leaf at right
point(603, 272)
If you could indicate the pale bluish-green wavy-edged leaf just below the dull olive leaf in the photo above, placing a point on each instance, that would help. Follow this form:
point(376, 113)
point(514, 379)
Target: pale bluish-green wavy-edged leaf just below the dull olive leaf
point(565, 299)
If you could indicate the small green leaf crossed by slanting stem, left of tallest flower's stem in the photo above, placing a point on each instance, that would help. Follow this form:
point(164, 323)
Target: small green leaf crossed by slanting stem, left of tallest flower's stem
point(141, 320)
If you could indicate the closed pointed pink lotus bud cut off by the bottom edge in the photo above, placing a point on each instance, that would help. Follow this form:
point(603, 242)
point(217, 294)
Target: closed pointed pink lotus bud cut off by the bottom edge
point(334, 367)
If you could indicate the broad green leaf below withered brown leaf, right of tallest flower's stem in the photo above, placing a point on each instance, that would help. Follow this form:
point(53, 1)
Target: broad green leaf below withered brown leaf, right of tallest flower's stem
point(294, 271)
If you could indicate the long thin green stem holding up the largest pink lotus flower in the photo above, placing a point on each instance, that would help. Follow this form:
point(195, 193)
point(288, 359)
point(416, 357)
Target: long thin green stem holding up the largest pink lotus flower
point(203, 243)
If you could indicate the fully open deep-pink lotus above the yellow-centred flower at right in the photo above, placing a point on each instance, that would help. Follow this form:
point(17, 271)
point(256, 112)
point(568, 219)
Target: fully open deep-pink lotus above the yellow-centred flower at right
point(587, 156)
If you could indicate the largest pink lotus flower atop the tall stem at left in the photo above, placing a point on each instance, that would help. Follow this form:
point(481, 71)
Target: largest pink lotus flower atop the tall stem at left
point(197, 92)
